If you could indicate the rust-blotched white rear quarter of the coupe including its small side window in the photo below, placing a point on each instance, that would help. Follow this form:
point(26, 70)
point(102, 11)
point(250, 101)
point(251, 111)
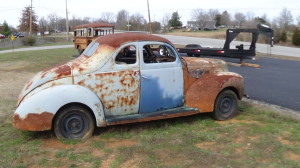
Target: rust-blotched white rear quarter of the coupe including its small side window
point(117, 82)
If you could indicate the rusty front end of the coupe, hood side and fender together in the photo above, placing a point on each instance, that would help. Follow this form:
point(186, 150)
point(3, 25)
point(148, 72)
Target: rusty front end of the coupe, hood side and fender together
point(204, 79)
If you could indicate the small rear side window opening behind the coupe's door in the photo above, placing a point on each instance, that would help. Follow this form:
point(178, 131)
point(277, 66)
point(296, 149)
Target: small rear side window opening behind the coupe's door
point(127, 55)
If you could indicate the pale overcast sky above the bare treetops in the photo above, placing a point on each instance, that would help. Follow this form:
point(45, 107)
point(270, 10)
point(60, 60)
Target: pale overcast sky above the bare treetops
point(10, 10)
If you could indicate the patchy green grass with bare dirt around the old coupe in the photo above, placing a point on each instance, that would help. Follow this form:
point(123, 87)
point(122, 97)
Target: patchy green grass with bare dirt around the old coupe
point(257, 137)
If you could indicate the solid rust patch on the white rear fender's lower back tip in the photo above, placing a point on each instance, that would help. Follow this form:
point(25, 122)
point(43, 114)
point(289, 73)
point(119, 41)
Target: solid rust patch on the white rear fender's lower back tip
point(34, 122)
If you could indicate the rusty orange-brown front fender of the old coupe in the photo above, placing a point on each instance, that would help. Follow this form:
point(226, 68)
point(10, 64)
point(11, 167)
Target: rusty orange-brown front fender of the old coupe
point(204, 91)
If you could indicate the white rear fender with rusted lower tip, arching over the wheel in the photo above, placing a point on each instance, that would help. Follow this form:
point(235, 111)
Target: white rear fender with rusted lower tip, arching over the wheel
point(36, 112)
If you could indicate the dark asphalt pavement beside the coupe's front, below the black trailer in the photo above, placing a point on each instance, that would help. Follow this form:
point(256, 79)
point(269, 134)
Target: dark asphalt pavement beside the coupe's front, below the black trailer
point(277, 81)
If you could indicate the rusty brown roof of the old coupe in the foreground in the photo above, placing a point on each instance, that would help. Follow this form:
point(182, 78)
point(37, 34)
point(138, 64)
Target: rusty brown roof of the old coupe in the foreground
point(116, 40)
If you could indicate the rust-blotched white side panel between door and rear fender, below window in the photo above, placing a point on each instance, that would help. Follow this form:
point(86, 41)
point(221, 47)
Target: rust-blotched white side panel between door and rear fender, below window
point(118, 91)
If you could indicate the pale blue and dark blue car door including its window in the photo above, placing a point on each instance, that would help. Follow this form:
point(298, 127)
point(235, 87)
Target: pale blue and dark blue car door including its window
point(161, 77)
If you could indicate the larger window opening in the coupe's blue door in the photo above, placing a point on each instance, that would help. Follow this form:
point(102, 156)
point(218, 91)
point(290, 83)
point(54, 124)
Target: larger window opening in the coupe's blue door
point(158, 54)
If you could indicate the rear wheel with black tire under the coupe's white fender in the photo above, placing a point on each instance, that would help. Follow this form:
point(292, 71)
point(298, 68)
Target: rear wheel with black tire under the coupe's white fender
point(74, 122)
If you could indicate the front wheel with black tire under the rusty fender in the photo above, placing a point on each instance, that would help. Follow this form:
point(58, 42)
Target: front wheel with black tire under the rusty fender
point(225, 105)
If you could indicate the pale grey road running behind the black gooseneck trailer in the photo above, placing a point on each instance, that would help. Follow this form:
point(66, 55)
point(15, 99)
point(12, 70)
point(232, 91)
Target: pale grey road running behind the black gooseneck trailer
point(262, 48)
